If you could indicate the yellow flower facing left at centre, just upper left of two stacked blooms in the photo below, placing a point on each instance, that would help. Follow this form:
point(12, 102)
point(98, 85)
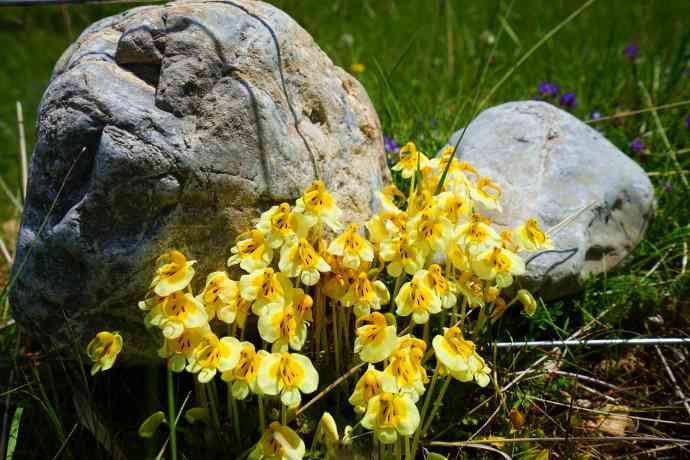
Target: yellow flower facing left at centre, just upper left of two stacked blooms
point(375, 340)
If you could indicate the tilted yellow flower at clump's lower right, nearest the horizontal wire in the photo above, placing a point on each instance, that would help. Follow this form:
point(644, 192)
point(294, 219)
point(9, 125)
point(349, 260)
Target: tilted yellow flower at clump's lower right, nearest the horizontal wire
point(459, 357)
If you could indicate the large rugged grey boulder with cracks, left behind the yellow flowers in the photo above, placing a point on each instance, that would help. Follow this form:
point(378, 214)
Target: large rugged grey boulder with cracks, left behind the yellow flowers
point(174, 126)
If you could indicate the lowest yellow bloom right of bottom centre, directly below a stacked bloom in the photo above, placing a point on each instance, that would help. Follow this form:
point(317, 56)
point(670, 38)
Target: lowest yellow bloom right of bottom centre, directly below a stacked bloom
point(390, 415)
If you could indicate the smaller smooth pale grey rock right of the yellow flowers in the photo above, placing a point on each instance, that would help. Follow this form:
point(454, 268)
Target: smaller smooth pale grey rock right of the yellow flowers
point(551, 166)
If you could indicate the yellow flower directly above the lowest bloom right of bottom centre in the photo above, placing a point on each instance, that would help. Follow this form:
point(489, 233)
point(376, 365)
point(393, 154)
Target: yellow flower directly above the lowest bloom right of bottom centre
point(405, 367)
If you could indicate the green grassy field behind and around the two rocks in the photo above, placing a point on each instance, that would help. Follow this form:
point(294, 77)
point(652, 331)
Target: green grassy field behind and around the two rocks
point(426, 64)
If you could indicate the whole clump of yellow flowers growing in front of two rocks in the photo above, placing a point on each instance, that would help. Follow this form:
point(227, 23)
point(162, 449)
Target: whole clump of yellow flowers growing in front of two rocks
point(304, 270)
